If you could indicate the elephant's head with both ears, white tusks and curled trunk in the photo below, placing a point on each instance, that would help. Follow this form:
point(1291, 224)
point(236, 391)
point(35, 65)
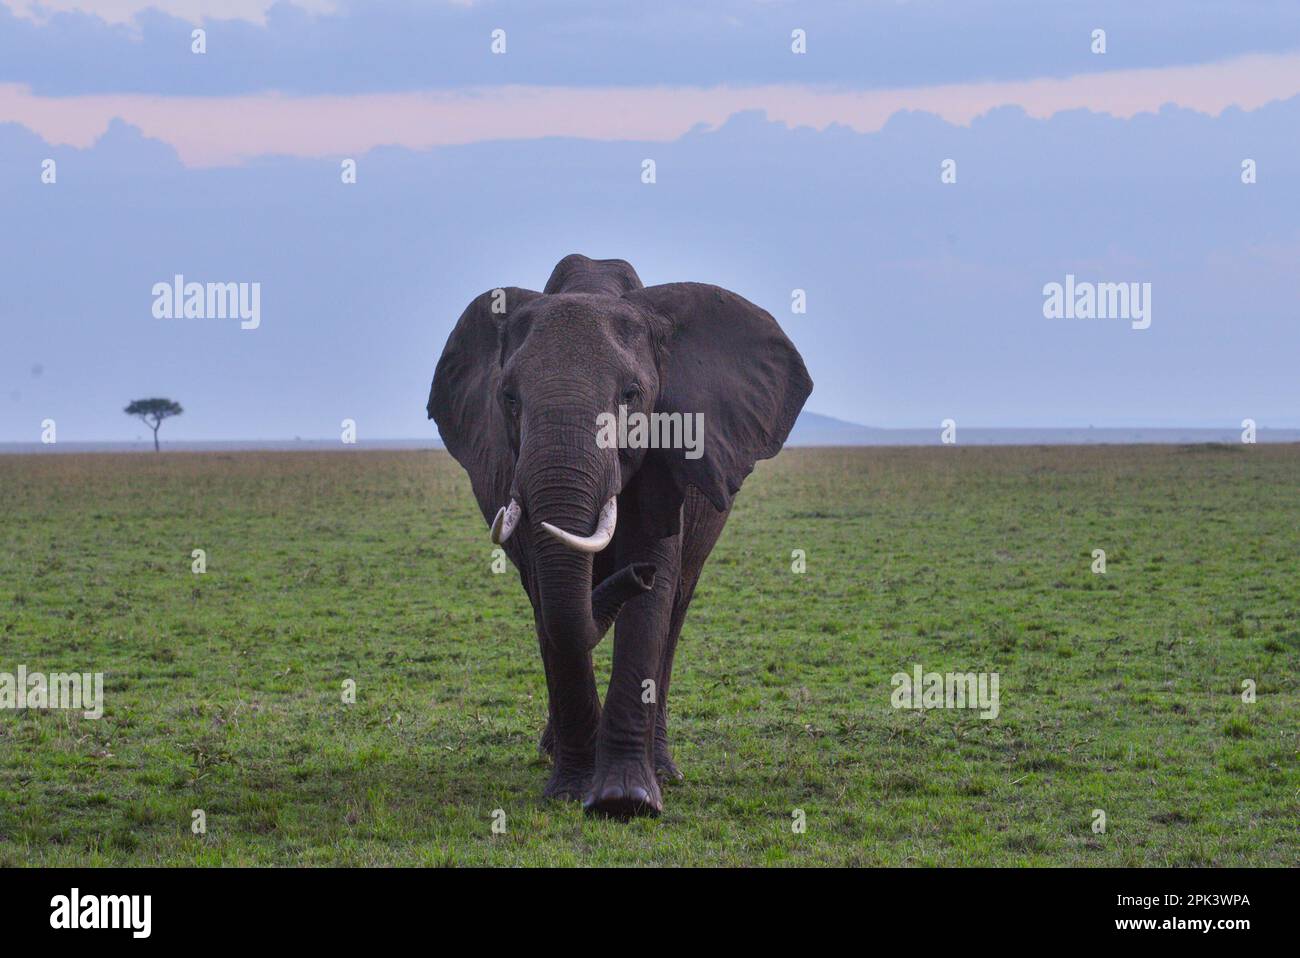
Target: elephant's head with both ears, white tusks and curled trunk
point(521, 391)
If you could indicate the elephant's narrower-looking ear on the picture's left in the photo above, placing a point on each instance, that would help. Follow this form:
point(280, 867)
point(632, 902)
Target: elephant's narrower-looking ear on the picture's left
point(463, 398)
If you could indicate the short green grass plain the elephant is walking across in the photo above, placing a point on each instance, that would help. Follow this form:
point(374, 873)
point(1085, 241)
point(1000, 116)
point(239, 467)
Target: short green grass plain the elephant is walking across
point(224, 691)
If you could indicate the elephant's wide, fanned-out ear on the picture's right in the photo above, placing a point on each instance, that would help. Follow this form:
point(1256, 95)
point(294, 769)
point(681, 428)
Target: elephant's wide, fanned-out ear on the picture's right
point(729, 361)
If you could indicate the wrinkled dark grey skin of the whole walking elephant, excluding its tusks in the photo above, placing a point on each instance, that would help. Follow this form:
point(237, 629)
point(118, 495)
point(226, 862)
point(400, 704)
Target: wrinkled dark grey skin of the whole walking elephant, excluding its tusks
point(517, 396)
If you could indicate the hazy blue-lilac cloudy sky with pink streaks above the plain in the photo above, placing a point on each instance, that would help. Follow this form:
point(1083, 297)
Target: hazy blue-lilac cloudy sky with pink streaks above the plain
point(775, 172)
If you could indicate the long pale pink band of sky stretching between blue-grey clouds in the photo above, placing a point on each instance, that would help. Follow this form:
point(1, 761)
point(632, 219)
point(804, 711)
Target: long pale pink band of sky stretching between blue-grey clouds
point(209, 132)
